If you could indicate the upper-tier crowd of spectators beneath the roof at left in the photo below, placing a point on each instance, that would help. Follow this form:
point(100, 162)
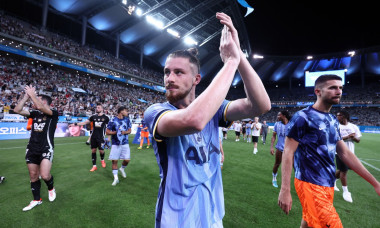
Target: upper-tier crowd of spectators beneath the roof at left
point(23, 30)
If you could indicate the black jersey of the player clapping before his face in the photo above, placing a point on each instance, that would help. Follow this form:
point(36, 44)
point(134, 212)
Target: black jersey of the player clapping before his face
point(43, 128)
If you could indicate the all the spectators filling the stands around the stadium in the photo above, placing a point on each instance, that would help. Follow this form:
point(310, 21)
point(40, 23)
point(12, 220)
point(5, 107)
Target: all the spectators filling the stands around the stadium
point(58, 83)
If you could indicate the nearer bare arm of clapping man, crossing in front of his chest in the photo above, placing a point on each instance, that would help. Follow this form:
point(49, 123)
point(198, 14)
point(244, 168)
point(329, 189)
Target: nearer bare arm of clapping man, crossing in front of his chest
point(194, 117)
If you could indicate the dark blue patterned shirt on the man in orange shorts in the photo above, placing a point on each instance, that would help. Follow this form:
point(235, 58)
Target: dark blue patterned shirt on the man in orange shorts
point(317, 133)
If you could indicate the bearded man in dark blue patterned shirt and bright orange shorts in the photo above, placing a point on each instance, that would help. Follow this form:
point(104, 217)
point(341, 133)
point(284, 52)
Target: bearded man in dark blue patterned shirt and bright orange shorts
point(312, 139)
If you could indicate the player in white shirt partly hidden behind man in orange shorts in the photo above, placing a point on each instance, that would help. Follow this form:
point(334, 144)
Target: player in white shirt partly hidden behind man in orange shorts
point(350, 134)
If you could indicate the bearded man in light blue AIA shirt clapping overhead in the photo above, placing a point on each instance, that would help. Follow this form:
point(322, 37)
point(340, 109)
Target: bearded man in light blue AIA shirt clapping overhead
point(185, 132)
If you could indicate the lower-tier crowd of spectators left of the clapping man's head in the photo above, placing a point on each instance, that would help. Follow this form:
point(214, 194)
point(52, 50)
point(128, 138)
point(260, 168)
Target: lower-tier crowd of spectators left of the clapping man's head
point(58, 83)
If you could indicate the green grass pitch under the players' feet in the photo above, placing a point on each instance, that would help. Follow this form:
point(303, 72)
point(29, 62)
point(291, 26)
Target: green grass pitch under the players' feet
point(86, 199)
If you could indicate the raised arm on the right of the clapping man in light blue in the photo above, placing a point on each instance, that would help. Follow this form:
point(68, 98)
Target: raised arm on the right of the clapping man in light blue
point(257, 101)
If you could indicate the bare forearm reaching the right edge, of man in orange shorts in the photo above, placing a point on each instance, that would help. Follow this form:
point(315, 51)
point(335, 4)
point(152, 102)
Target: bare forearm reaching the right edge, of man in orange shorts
point(354, 163)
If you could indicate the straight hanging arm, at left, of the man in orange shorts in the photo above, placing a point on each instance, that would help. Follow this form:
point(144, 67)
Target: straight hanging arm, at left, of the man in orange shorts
point(285, 198)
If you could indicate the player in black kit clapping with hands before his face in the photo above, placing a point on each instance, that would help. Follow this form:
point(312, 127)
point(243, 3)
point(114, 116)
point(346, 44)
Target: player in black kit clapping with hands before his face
point(40, 149)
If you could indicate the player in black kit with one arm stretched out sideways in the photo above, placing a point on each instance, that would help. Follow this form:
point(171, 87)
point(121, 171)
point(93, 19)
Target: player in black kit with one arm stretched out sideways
point(100, 121)
